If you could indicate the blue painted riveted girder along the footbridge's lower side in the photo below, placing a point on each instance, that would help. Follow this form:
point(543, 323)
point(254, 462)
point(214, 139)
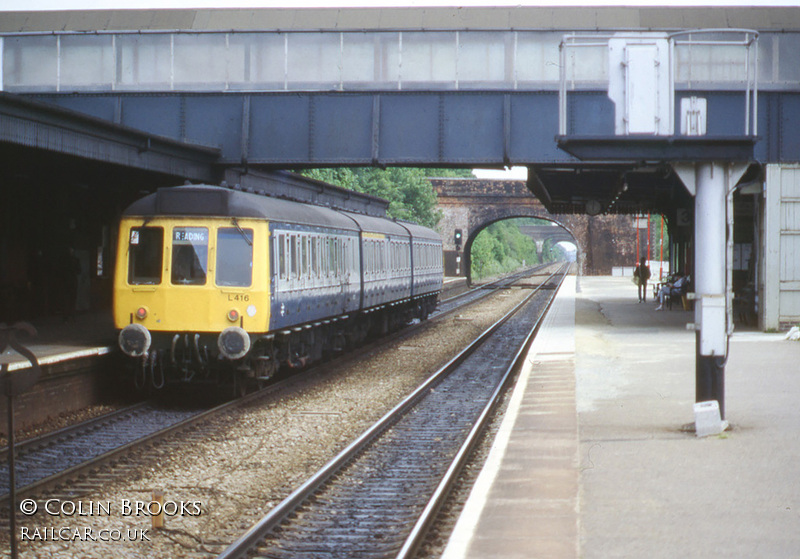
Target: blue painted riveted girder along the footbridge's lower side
point(455, 128)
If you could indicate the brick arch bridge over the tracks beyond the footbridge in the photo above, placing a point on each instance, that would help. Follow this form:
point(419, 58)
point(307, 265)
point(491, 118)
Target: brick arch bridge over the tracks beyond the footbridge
point(471, 205)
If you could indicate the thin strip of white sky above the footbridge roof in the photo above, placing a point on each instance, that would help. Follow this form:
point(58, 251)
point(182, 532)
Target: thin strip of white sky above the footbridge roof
point(14, 5)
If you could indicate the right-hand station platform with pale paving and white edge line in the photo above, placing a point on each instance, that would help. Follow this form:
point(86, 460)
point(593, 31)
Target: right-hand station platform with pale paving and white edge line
point(594, 459)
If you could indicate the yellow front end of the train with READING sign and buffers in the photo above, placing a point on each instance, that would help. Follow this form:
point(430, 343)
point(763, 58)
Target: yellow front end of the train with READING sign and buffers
point(190, 295)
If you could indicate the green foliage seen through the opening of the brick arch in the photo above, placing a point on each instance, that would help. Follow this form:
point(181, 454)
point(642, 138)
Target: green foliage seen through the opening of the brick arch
point(502, 248)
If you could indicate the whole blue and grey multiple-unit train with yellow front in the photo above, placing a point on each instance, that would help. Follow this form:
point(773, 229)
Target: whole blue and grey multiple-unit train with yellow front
point(224, 286)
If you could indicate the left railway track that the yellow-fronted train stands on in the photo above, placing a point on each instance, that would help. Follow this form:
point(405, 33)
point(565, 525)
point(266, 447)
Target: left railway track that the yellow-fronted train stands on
point(48, 463)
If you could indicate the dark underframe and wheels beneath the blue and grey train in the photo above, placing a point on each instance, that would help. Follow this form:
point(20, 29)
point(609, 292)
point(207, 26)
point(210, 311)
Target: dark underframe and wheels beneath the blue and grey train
point(176, 358)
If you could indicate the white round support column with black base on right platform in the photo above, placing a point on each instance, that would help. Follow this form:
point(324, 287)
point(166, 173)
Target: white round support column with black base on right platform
point(712, 185)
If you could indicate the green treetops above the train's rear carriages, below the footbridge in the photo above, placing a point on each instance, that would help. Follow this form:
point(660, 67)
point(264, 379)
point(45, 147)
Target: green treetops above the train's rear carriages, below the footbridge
point(410, 194)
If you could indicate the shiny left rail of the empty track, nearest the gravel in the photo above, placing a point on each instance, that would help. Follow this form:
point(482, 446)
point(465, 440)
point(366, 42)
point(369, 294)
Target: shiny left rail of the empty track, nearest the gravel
point(277, 514)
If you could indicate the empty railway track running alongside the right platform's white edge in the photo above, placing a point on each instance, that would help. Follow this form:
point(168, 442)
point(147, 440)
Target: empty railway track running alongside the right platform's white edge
point(378, 496)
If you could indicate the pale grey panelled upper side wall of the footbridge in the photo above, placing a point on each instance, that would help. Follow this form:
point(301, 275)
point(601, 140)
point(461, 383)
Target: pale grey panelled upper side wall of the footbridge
point(177, 60)
